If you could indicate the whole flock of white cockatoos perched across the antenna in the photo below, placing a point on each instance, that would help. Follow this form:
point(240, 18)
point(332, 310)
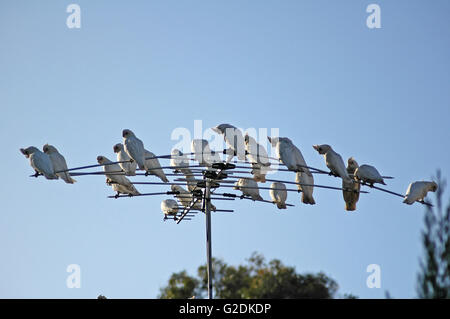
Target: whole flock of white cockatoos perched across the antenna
point(131, 156)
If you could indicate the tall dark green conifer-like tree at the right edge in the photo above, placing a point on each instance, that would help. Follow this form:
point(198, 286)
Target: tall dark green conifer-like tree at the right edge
point(434, 276)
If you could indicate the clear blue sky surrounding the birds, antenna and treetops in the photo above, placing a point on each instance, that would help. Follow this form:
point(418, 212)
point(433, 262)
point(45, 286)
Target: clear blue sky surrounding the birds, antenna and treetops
point(310, 68)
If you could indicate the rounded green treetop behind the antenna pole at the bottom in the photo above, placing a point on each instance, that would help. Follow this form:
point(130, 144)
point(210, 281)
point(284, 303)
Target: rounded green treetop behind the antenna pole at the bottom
point(256, 279)
